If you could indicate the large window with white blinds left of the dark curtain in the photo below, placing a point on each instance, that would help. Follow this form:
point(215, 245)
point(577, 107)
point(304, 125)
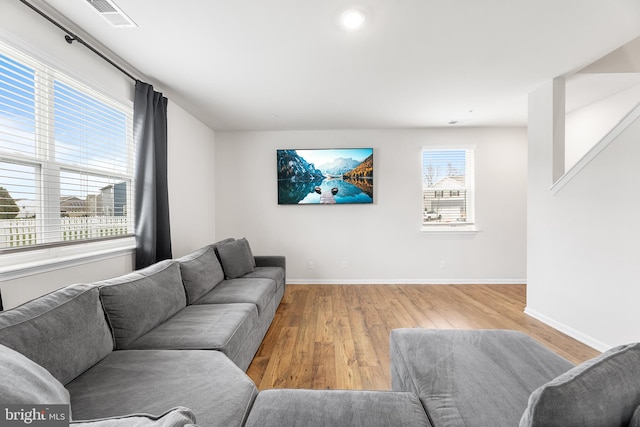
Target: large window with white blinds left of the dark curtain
point(66, 159)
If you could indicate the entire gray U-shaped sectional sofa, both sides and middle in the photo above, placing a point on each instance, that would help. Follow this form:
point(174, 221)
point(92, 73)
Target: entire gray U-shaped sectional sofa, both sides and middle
point(168, 346)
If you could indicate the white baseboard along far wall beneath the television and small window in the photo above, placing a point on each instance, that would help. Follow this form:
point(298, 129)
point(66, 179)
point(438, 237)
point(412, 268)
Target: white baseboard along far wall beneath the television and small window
point(406, 282)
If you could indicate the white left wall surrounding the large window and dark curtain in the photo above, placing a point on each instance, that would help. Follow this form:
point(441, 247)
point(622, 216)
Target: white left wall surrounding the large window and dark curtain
point(191, 155)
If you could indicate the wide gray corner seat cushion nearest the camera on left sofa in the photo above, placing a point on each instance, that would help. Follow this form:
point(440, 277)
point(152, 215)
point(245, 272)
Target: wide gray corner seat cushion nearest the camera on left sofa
point(154, 381)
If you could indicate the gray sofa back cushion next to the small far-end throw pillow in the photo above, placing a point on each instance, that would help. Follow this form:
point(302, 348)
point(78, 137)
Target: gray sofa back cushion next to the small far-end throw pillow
point(201, 272)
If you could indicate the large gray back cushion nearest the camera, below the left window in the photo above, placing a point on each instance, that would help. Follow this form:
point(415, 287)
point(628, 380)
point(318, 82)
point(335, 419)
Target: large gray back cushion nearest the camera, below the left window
point(64, 331)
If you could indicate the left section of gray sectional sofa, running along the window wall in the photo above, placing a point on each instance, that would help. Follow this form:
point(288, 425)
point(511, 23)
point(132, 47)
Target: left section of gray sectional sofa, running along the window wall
point(178, 334)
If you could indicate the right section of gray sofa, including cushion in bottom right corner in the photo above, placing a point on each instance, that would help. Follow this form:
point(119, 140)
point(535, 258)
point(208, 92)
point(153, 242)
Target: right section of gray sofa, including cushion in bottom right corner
point(504, 378)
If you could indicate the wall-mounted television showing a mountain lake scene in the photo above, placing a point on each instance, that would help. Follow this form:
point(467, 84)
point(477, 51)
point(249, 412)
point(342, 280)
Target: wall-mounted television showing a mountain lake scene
point(325, 176)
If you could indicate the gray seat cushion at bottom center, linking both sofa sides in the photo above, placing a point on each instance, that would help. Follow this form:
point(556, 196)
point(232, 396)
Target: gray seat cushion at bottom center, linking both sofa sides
point(344, 408)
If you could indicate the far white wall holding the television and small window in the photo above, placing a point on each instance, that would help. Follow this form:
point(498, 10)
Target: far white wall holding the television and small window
point(379, 243)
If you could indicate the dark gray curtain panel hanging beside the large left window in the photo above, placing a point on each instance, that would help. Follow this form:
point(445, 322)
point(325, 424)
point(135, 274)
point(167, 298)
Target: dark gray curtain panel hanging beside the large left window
point(153, 234)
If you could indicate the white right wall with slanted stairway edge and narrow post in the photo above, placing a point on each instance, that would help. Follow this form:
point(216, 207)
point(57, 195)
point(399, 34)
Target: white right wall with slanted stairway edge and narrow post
point(582, 249)
